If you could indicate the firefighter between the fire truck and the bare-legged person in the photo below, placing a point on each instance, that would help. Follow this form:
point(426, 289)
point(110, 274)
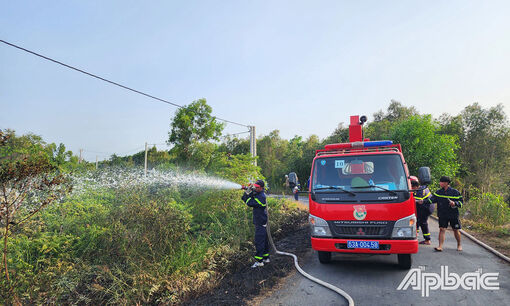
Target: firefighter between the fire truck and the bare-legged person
point(423, 207)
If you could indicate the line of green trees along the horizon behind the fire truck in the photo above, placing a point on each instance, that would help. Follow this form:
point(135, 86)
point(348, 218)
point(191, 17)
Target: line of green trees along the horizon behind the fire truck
point(473, 147)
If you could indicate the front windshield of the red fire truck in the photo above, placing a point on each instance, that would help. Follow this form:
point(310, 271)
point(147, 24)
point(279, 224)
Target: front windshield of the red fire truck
point(373, 172)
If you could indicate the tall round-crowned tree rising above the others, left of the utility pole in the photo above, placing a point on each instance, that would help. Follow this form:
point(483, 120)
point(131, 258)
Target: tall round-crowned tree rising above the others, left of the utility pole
point(192, 125)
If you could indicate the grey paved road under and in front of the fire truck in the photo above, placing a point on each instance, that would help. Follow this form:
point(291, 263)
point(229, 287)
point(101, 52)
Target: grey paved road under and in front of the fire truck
point(373, 280)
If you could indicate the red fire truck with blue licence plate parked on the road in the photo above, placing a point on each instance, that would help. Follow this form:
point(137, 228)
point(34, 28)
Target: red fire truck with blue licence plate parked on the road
point(360, 200)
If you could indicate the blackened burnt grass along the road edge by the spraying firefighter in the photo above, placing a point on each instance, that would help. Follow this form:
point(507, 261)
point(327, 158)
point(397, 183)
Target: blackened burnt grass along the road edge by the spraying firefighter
point(241, 283)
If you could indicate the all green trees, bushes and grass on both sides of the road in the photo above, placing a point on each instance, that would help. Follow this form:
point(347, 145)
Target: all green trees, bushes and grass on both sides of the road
point(149, 244)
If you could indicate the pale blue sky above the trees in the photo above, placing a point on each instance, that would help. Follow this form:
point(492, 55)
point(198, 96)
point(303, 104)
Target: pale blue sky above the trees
point(301, 67)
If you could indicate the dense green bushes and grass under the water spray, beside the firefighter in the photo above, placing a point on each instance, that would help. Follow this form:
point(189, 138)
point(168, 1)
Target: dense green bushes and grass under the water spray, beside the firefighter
point(139, 245)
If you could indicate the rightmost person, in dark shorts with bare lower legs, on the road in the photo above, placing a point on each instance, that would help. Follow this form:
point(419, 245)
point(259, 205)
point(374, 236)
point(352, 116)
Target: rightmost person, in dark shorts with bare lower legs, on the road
point(448, 200)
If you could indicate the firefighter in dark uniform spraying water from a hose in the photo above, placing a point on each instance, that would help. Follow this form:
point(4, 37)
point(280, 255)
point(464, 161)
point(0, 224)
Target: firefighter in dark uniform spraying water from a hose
point(256, 198)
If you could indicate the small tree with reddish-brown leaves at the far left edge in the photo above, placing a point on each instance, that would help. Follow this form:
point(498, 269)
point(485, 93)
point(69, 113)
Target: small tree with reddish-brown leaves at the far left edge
point(28, 183)
